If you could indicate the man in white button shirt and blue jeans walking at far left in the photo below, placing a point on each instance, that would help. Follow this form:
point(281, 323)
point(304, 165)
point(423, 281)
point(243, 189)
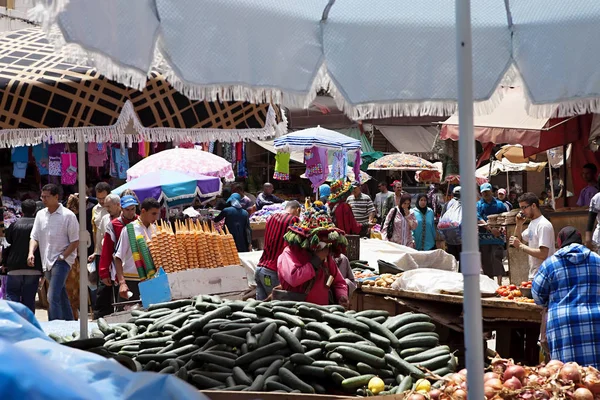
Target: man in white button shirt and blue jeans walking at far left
point(56, 233)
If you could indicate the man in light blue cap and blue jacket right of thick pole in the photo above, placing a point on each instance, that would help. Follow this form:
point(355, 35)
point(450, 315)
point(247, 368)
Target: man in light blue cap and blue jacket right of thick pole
point(491, 254)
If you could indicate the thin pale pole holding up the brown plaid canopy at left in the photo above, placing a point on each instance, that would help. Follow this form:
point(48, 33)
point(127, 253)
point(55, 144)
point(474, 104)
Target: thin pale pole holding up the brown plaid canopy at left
point(83, 234)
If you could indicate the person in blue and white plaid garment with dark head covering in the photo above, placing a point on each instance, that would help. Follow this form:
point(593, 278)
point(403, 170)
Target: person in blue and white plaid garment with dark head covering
point(568, 284)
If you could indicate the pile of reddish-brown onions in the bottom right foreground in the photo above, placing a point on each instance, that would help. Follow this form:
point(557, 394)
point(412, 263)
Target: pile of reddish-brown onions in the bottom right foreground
point(506, 380)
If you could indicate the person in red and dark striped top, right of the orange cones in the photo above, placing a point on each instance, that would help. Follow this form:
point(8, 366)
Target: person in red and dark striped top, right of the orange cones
point(277, 225)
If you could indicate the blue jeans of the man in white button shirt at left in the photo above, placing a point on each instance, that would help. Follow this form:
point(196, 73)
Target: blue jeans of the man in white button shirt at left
point(59, 305)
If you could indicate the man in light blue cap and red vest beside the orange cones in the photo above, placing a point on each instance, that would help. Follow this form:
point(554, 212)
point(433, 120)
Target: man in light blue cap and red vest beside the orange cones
point(108, 295)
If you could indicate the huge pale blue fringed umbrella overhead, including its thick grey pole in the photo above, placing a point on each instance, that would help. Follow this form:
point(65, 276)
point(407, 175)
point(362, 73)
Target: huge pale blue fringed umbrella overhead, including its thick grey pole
point(343, 45)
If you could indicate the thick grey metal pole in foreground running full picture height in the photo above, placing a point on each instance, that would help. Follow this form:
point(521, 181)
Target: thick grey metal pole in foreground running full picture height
point(470, 259)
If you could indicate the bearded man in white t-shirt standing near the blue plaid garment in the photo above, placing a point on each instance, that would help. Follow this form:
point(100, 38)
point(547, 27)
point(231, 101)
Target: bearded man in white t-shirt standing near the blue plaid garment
point(539, 235)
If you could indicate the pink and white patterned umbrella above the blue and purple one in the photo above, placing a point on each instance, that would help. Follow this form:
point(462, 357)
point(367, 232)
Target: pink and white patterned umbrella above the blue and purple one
point(187, 161)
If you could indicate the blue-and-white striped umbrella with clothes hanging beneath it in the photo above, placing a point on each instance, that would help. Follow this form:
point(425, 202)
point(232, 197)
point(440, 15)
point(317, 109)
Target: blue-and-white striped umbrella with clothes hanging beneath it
point(320, 137)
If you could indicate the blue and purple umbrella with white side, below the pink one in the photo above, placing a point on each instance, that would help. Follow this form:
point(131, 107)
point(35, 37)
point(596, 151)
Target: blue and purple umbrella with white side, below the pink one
point(173, 187)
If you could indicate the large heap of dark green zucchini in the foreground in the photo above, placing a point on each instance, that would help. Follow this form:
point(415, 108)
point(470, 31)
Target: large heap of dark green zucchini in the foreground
point(280, 346)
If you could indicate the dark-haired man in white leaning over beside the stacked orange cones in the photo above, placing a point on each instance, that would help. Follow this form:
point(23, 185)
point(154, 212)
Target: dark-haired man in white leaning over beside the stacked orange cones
point(127, 275)
